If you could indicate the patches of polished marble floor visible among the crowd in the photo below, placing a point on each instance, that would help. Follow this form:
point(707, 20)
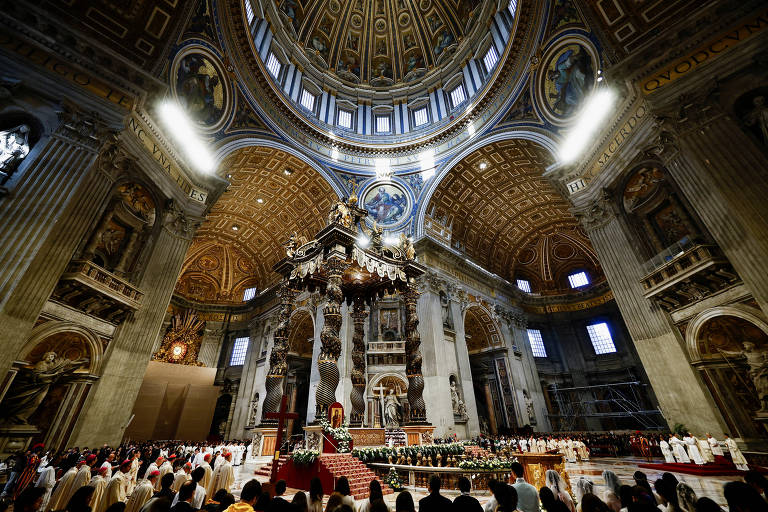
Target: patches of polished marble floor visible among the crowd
point(624, 467)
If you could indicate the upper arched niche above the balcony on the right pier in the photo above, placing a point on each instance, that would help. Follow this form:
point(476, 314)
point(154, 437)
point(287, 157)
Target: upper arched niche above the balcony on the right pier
point(656, 211)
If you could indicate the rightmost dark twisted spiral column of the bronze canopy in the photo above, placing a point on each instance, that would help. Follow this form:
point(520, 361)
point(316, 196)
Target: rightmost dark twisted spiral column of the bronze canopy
point(418, 412)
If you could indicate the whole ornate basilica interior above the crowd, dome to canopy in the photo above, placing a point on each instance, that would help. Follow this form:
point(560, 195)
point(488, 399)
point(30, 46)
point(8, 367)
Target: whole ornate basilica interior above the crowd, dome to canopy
point(460, 216)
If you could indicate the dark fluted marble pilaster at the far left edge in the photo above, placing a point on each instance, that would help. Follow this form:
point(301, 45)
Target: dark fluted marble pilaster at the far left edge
point(45, 216)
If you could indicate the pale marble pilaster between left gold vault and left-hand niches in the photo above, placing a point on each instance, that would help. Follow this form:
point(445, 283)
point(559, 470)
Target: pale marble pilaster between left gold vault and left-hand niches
point(108, 408)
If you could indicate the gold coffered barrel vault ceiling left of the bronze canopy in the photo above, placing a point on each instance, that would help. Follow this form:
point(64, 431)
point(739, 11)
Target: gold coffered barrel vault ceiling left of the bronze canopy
point(296, 202)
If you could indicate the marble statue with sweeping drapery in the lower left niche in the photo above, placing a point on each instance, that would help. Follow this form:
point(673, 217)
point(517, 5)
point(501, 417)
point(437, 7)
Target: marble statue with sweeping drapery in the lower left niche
point(31, 386)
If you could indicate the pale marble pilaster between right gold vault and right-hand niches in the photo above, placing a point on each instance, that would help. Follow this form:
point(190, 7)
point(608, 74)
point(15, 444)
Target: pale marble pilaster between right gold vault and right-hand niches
point(682, 395)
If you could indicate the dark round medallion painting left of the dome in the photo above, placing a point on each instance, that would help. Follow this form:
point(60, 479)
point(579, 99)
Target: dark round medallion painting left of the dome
point(200, 89)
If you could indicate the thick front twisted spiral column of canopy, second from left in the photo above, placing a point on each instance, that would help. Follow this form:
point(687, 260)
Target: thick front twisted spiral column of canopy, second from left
point(327, 363)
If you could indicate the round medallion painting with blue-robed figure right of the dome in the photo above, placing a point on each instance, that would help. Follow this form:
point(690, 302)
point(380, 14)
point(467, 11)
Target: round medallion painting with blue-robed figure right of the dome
point(569, 78)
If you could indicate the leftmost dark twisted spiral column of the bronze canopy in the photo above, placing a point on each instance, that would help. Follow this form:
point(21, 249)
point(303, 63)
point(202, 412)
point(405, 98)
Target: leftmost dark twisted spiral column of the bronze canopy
point(278, 367)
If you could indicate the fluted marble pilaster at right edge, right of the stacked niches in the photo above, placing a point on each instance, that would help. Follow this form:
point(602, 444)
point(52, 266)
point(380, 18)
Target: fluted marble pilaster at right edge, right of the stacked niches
point(723, 175)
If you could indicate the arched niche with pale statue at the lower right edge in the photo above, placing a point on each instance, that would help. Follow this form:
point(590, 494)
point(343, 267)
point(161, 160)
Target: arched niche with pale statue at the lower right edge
point(733, 361)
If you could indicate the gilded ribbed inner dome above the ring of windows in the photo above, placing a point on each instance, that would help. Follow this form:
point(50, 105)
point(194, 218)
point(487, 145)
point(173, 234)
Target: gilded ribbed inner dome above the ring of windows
point(380, 42)
